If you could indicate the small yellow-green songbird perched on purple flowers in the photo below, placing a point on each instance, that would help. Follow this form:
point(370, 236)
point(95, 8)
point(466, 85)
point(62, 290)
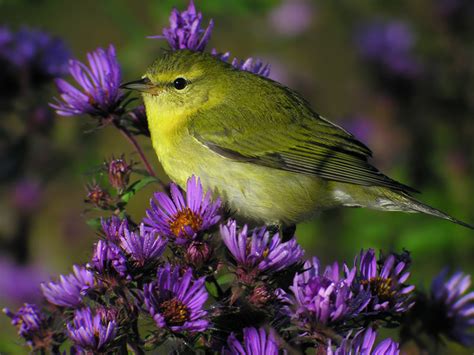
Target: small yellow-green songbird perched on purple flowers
point(259, 145)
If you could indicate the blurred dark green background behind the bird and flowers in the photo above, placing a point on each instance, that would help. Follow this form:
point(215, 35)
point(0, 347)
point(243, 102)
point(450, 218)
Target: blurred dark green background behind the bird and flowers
point(416, 117)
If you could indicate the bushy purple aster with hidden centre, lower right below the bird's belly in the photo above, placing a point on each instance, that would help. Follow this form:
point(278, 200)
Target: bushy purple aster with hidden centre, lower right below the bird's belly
point(322, 298)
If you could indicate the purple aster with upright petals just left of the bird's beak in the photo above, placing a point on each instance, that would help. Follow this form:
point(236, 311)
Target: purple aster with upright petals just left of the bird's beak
point(100, 82)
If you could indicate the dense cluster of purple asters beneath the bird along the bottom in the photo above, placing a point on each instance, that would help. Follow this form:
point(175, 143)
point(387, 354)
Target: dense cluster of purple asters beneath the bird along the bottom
point(336, 309)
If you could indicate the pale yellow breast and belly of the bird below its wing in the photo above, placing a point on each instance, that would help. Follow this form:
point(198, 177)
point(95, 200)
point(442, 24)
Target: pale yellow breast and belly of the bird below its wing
point(255, 193)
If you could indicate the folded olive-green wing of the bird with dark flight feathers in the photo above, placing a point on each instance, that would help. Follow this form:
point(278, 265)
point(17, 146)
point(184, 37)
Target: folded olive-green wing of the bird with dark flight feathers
point(282, 132)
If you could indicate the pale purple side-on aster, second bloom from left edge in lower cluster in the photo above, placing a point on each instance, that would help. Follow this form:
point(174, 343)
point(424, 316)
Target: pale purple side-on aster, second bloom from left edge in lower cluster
point(70, 289)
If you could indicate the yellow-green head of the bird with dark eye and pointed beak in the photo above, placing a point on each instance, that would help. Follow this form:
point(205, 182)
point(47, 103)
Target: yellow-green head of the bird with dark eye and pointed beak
point(181, 82)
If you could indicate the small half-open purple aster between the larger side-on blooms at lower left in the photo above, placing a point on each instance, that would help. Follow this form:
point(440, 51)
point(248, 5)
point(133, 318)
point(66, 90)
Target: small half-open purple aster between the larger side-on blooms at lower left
point(109, 261)
